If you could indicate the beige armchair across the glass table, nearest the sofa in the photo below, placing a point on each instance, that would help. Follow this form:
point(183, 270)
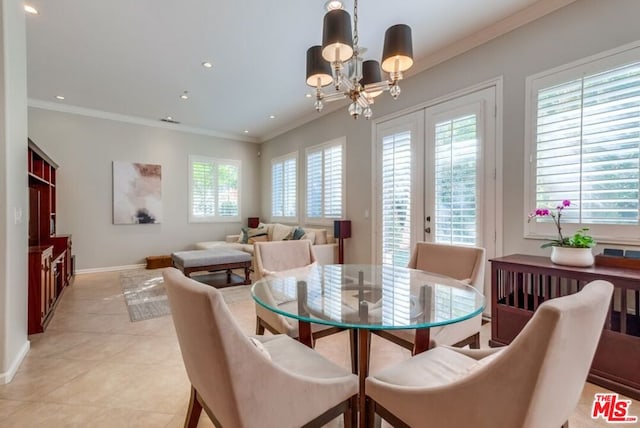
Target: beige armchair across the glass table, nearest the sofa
point(272, 258)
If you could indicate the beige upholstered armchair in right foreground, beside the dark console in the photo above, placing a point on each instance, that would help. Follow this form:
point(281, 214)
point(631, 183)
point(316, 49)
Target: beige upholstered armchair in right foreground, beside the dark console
point(534, 382)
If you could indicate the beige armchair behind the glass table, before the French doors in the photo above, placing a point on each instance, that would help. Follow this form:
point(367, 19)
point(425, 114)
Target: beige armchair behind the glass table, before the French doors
point(460, 262)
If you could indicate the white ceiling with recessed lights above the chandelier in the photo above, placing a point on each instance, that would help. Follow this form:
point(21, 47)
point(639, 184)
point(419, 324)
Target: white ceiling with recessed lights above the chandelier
point(136, 57)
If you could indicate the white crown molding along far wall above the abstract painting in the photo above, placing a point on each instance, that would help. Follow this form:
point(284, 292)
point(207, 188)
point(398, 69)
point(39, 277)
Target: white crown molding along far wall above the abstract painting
point(99, 114)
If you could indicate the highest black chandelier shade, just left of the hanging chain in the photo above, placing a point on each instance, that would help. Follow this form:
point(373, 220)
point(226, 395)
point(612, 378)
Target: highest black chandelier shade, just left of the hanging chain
point(337, 38)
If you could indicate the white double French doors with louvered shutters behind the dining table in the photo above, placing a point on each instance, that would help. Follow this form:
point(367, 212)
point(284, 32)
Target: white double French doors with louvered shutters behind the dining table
point(436, 177)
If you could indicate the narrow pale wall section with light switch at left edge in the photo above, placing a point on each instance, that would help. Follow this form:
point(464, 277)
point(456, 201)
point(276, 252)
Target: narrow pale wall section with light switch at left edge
point(13, 189)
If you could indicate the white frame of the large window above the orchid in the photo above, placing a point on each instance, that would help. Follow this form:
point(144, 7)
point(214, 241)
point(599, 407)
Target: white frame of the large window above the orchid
point(615, 234)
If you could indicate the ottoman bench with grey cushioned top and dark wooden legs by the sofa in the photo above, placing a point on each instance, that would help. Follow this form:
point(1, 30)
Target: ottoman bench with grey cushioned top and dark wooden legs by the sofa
point(213, 260)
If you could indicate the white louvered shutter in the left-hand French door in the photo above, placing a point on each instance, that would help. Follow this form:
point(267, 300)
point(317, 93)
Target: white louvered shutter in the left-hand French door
point(396, 198)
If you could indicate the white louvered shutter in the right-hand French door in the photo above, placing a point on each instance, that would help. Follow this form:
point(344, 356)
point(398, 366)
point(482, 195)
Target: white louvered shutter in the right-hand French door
point(456, 159)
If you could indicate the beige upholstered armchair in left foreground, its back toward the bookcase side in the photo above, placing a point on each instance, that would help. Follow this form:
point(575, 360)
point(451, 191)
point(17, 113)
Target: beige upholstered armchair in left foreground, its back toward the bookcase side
point(268, 381)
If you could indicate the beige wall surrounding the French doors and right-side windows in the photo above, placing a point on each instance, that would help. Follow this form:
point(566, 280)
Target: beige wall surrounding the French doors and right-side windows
point(578, 30)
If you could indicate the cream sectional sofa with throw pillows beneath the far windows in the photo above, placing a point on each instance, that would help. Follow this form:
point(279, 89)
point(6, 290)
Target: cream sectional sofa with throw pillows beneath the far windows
point(324, 245)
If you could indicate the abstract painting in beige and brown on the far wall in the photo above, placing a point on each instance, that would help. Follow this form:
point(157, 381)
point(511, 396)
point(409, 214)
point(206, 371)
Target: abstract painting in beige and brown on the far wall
point(137, 193)
